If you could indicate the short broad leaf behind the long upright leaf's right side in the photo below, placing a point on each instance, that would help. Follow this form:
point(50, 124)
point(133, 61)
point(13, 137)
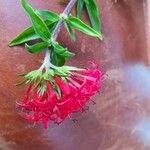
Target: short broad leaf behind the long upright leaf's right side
point(48, 15)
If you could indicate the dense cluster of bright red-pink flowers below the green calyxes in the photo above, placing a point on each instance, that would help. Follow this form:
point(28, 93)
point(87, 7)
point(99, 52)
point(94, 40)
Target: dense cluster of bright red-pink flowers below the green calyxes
point(75, 92)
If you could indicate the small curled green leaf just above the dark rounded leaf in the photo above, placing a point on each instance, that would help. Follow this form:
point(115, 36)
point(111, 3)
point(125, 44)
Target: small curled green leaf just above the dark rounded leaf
point(61, 50)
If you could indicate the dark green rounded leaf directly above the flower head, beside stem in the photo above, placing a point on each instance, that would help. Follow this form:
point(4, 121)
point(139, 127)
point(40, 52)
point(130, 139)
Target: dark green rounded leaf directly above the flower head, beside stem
point(57, 59)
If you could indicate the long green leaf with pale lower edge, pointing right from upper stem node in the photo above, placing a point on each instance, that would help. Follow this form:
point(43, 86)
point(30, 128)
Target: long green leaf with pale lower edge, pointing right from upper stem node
point(81, 26)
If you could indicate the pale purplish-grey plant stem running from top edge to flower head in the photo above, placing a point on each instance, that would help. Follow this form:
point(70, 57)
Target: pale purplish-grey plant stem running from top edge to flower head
point(56, 31)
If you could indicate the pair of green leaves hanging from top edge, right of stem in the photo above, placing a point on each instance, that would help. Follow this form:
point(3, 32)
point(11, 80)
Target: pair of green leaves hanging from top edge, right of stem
point(92, 11)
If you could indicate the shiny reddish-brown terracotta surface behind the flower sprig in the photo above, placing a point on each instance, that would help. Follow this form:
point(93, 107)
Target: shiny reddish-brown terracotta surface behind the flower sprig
point(120, 120)
